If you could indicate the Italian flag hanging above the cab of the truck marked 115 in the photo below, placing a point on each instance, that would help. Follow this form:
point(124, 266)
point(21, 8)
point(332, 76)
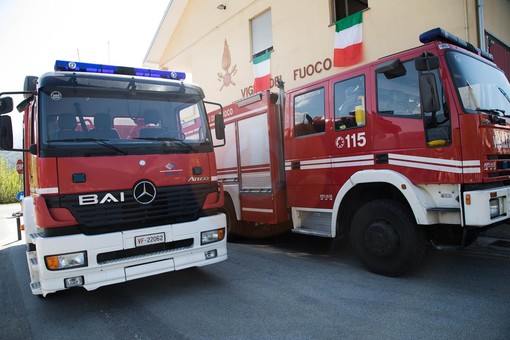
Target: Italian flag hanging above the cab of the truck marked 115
point(348, 46)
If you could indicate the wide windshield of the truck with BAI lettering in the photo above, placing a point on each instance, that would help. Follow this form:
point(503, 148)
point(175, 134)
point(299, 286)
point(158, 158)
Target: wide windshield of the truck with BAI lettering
point(88, 120)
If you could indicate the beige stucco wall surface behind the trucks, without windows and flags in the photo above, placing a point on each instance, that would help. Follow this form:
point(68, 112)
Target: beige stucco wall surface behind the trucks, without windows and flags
point(303, 36)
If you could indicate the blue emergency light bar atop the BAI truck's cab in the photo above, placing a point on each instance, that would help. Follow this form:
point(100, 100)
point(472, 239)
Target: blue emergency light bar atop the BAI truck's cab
point(62, 65)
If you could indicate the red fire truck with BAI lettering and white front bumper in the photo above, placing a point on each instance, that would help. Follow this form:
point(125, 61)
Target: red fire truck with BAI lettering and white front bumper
point(114, 190)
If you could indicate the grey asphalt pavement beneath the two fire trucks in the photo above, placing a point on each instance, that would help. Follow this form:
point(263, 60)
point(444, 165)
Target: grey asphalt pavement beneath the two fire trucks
point(290, 287)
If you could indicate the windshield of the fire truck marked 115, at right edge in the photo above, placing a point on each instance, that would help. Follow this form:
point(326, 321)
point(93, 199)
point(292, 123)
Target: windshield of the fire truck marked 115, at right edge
point(481, 87)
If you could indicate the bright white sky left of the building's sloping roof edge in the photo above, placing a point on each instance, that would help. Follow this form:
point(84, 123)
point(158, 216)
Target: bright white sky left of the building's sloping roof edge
point(35, 33)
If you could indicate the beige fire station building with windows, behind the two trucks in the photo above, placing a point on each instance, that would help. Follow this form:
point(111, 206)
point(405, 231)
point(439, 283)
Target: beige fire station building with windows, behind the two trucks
point(217, 42)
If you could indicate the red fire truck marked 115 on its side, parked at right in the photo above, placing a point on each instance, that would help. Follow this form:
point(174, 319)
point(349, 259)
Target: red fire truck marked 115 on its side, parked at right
point(411, 148)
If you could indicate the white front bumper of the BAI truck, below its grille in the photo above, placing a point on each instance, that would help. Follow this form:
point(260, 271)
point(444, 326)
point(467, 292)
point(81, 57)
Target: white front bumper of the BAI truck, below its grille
point(122, 269)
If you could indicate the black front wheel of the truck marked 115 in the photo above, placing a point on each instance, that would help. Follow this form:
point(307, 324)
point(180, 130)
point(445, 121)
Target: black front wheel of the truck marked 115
point(386, 238)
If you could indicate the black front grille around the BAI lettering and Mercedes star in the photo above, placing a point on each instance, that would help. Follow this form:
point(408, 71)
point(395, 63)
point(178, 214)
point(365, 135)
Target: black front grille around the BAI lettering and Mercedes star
point(171, 205)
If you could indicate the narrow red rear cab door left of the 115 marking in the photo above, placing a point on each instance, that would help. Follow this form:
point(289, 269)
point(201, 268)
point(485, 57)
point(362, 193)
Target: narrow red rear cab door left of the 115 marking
point(307, 161)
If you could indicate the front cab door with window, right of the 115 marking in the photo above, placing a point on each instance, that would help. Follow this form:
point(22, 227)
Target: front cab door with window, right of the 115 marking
point(406, 137)
